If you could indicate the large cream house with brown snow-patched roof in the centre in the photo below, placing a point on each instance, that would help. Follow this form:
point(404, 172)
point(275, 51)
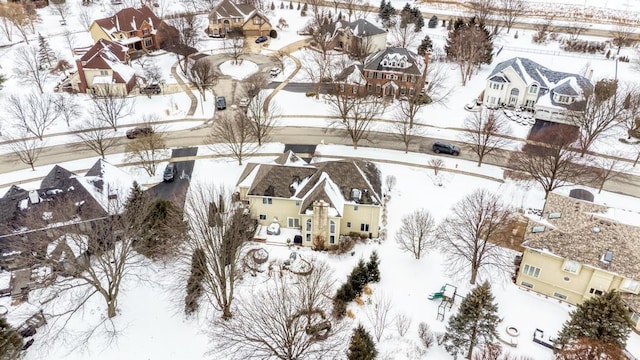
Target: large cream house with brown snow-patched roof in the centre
point(323, 200)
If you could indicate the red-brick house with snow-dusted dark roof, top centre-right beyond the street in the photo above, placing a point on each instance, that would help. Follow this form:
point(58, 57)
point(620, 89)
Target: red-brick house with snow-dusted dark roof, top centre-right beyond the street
point(392, 72)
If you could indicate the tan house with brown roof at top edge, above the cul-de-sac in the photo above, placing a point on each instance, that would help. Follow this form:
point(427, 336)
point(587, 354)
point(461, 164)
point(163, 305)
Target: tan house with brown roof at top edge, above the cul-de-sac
point(228, 16)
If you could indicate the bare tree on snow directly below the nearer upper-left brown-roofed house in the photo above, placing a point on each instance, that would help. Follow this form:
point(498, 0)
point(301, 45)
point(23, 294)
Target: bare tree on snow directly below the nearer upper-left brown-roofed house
point(110, 105)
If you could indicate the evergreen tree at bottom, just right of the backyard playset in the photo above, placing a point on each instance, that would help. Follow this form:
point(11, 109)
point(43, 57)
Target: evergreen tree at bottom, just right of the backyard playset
point(474, 324)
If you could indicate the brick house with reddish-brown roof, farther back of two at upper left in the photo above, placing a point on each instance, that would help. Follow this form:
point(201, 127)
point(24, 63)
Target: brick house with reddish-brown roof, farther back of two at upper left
point(137, 29)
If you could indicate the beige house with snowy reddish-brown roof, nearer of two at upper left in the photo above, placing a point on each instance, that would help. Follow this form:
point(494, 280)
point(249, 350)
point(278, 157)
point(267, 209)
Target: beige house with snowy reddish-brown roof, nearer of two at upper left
point(105, 64)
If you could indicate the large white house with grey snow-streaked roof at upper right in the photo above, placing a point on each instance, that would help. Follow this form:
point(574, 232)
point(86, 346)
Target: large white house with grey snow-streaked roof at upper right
point(552, 95)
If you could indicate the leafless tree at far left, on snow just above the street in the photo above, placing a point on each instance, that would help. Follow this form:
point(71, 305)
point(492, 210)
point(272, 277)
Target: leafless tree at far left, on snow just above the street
point(33, 113)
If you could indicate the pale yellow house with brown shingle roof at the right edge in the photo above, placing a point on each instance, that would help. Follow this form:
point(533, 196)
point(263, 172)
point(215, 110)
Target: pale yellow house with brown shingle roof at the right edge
point(576, 251)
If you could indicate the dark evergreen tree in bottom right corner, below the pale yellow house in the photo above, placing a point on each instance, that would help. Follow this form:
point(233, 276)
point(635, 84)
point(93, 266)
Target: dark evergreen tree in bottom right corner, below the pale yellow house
point(602, 318)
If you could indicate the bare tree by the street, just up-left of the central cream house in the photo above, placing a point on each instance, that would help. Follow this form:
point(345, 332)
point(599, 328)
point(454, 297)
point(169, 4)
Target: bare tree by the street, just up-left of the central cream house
point(233, 135)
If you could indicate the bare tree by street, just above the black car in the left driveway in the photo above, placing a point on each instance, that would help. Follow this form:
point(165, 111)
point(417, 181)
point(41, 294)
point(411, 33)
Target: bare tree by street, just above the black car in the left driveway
point(147, 150)
